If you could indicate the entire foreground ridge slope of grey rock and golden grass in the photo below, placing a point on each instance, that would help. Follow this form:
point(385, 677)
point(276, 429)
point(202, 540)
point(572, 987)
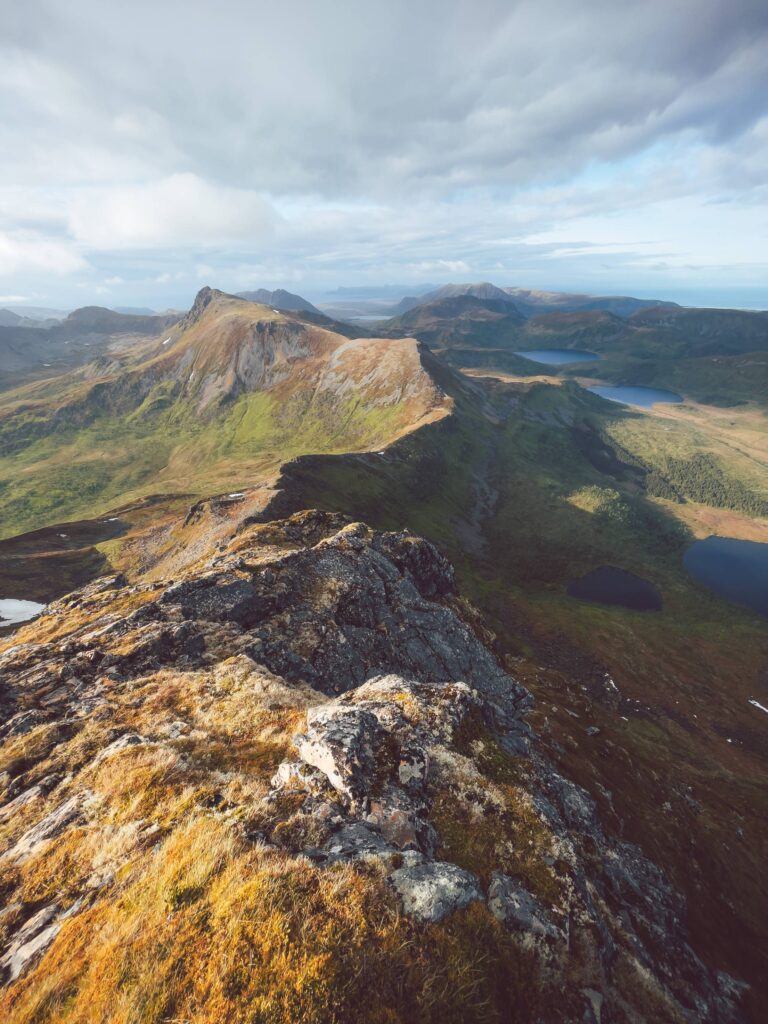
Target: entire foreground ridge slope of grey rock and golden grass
point(295, 778)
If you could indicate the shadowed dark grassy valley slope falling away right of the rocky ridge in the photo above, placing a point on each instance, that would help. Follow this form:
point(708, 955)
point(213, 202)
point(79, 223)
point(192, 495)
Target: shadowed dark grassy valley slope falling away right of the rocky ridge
point(561, 504)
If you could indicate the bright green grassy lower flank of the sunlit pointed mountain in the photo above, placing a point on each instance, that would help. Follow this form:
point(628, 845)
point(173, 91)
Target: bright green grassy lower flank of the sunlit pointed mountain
point(164, 446)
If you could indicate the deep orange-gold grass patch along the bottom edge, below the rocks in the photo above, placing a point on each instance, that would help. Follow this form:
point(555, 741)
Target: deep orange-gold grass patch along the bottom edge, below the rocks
point(209, 929)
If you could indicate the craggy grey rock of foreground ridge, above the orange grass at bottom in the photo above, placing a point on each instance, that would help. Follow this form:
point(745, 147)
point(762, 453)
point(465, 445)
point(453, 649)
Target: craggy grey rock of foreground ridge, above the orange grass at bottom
point(410, 762)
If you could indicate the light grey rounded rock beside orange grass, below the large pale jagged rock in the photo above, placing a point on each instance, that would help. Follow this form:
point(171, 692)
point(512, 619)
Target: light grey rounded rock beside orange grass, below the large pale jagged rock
point(431, 892)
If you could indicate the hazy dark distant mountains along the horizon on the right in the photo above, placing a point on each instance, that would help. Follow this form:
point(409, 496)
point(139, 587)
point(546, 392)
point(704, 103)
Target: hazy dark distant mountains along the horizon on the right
point(719, 357)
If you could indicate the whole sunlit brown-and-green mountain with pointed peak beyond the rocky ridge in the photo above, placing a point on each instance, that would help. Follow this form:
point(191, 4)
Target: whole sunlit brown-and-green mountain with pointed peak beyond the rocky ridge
point(234, 391)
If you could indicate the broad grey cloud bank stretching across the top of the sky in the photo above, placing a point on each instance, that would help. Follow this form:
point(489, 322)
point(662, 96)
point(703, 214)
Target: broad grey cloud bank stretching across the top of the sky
point(336, 99)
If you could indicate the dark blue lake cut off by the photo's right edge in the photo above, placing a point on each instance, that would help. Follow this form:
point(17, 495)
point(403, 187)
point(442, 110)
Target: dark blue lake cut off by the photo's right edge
point(736, 570)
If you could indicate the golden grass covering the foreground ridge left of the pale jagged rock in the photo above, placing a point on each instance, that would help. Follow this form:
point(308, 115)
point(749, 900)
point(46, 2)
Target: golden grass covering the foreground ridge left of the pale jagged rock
point(187, 920)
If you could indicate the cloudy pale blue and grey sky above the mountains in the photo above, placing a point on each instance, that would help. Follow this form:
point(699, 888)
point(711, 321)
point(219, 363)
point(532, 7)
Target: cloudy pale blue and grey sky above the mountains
point(153, 148)
